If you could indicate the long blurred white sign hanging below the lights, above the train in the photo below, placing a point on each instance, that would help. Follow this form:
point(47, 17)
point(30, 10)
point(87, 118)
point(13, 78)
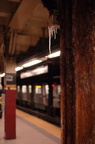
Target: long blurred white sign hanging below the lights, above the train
point(37, 71)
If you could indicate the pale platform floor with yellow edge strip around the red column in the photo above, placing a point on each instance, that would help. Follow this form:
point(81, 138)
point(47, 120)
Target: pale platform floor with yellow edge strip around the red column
point(31, 130)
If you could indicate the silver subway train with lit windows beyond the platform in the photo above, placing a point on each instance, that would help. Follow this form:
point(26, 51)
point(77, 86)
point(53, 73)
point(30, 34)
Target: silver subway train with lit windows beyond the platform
point(38, 96)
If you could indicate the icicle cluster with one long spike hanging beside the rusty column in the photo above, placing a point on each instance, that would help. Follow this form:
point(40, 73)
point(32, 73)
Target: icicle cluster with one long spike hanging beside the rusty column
point(52, 32)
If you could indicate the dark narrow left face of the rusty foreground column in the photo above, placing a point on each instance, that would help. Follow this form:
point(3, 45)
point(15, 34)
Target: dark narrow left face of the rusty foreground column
point(68, 99)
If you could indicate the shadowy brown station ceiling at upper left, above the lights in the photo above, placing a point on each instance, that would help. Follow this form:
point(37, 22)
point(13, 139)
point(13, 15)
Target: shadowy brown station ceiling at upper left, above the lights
point(22, 24)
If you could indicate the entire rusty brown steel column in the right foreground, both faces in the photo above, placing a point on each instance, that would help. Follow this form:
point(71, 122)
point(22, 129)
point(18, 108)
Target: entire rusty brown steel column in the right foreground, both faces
point(77, 64)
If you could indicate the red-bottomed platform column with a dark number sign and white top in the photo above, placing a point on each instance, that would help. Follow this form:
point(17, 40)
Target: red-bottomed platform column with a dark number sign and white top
point(10, 100)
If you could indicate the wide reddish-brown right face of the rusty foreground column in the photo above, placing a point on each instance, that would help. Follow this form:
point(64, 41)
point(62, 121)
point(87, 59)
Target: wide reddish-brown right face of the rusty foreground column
point(84, 44)
